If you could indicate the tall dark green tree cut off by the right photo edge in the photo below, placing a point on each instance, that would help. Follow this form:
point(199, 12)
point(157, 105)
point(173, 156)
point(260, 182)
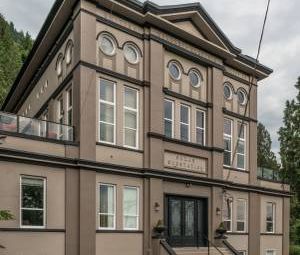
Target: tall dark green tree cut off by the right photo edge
point(289, 137)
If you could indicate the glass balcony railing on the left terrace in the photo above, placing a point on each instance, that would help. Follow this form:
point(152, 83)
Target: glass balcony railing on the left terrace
point(34, 127)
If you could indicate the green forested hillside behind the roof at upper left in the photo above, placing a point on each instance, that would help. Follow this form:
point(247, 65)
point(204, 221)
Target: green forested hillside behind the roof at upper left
point(14, 48)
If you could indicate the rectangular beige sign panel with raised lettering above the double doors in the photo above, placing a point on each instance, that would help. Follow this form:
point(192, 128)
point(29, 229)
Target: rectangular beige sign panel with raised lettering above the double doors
point(184, 162)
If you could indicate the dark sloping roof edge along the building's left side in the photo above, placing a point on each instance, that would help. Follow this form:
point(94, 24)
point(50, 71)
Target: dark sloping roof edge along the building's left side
point(55, 7)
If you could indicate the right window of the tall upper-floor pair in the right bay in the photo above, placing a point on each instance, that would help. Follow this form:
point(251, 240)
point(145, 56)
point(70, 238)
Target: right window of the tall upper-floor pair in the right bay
point(241, 149)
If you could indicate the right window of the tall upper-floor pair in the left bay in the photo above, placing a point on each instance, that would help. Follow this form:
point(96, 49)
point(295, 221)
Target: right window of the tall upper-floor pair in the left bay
point(131, 116)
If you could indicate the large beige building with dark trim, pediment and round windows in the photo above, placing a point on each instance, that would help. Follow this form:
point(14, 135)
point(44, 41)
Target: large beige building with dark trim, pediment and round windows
point(127, 116)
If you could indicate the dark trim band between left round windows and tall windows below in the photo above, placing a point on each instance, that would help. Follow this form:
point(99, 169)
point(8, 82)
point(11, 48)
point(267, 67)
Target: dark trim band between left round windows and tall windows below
point(115, 74)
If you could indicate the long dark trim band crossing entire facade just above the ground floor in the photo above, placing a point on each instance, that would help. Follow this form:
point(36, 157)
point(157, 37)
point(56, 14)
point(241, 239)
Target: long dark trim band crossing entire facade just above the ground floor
point(48, 160)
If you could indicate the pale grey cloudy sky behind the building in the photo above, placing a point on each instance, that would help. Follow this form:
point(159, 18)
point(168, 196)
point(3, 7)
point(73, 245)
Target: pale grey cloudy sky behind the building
point(241, 21)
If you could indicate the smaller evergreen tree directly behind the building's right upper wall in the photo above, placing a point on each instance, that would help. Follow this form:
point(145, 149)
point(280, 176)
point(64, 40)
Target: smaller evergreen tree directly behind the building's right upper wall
point(265, 156)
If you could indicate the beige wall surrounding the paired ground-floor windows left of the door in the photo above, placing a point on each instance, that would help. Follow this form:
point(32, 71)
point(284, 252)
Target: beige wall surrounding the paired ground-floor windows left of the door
point(120, 182)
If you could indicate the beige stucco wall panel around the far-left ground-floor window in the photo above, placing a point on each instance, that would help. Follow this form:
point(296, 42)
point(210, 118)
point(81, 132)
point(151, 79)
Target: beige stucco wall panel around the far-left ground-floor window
point(10, 192)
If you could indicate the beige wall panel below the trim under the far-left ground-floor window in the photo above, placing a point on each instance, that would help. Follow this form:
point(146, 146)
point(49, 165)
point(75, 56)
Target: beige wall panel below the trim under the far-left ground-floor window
point(18, 243)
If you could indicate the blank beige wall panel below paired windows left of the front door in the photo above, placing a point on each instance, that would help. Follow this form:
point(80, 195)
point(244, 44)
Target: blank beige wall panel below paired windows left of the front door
point(115, 244)
